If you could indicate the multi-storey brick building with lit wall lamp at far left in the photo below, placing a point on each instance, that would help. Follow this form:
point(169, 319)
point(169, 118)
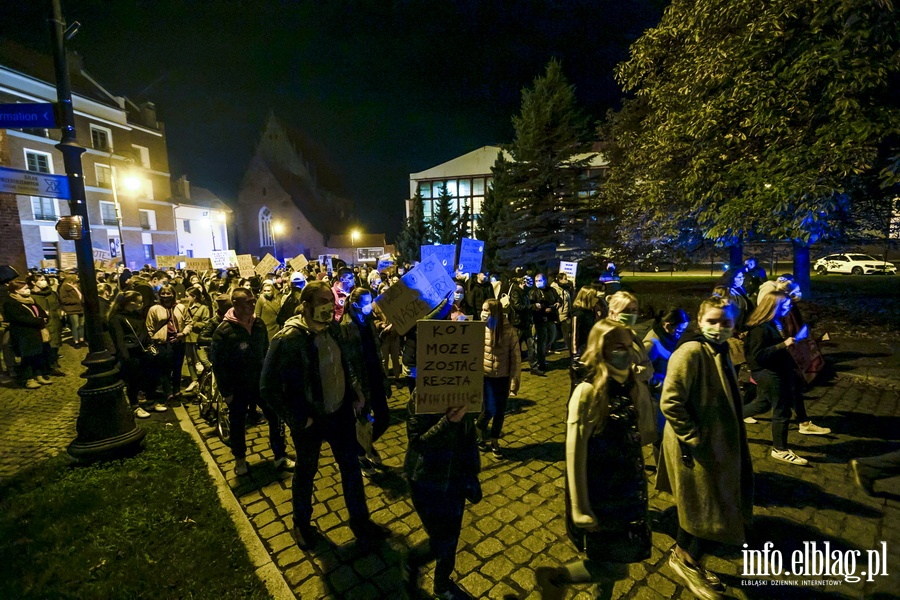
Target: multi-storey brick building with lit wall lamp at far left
point(125, 149)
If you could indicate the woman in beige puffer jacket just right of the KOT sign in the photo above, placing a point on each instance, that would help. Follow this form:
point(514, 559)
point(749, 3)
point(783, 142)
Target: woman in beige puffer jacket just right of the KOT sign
point(502, 362)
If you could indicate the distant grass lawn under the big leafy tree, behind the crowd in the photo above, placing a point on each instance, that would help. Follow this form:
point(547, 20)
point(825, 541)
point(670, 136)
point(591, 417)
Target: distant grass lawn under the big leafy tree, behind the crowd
point(846, 304)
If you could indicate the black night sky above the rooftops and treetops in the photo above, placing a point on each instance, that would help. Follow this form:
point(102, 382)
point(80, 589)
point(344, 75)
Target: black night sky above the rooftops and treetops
point(387, 87)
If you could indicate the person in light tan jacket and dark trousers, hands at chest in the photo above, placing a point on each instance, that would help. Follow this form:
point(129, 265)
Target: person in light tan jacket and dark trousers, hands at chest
point(168, 324)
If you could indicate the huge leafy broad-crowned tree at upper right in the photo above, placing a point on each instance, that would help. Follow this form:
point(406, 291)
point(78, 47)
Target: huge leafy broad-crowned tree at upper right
point(759, 118)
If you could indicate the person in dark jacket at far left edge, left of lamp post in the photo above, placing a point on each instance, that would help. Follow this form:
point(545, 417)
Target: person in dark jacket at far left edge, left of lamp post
point(28, 335)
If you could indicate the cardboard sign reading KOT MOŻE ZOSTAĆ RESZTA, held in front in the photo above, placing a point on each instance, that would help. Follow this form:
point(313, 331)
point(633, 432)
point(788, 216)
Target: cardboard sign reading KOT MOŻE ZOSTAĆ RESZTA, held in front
point(449, 365)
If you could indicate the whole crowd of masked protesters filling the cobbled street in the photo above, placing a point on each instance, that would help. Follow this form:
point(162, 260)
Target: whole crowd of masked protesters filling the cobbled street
point(310, 351)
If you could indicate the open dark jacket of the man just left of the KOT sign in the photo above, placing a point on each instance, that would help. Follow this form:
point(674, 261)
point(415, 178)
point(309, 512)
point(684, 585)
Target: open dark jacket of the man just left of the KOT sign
point(290, 382)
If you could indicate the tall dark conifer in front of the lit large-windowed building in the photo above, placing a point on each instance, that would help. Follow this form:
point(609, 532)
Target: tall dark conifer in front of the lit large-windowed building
point(549, 199)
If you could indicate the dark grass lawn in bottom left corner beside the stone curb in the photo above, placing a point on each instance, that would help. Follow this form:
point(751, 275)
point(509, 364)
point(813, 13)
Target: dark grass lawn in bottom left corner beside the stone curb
point(147, 527)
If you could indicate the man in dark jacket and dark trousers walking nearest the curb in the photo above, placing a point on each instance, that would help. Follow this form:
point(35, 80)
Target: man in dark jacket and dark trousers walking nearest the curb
point(237, 352)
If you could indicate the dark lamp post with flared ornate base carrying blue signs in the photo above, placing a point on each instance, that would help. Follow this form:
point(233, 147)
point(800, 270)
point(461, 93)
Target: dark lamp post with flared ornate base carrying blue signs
point(105, 427)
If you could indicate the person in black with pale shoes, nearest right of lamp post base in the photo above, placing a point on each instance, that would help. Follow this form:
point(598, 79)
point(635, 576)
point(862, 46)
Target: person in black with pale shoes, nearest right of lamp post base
point(130, 338)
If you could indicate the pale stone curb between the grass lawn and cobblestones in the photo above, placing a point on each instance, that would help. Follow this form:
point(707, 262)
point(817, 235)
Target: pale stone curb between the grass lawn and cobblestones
point(266, 569)
